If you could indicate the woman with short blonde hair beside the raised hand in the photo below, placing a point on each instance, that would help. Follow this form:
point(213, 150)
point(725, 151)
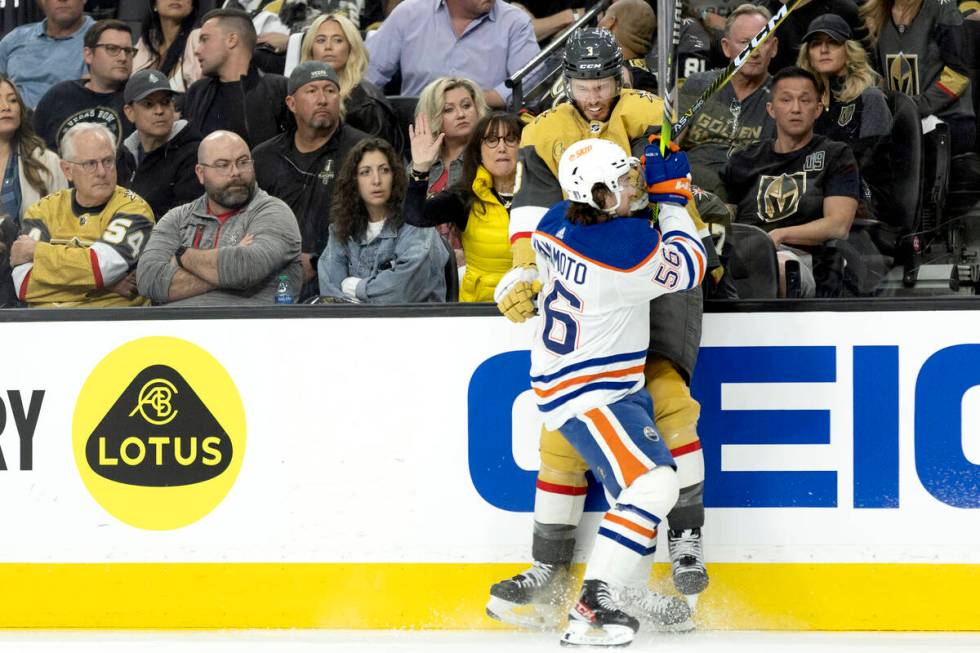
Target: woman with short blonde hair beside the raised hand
point(452, 106)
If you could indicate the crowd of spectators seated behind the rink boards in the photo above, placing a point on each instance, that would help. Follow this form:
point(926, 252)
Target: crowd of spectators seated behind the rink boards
point(197, 155)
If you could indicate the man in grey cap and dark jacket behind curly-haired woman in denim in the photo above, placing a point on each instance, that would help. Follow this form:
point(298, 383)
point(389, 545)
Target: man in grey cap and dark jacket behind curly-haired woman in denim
point(299, 167)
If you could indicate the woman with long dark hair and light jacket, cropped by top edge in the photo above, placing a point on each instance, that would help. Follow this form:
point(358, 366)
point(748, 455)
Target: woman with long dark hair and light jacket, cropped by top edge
point(167, 41)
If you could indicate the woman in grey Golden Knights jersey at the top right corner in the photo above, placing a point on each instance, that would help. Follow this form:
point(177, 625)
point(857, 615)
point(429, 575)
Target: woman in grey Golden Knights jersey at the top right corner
point(920, 45)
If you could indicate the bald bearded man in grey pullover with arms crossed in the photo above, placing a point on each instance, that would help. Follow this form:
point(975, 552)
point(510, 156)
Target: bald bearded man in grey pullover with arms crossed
point(227, 247)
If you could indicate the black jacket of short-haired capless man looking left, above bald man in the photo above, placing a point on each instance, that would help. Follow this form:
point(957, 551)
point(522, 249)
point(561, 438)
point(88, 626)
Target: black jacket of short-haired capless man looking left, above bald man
point(261, 112)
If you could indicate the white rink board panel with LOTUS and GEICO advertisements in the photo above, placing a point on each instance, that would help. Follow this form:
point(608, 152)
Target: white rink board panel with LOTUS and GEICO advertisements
point(827, 437)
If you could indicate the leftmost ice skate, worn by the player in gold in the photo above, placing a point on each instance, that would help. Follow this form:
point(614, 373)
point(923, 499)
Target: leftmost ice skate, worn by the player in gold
point(531, 599)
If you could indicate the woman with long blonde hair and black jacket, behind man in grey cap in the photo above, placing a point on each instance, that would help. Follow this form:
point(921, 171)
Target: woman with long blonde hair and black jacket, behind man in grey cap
point(333, 39)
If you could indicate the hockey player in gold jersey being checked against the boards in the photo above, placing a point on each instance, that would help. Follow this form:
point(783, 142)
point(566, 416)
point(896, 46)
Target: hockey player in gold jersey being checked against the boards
point(600, 108)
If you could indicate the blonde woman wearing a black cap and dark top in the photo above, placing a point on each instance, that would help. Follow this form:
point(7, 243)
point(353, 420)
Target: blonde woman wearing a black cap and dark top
point(855, 109)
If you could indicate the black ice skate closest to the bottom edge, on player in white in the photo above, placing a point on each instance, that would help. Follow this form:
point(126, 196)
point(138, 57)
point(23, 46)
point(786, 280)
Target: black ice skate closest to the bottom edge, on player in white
point(596, 620)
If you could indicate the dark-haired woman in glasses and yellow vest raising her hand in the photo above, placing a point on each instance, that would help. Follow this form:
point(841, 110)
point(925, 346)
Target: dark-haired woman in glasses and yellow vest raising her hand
point(478, 205)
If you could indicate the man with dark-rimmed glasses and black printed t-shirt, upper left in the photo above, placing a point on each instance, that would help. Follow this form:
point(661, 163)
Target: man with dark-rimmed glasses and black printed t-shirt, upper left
point(109, 54)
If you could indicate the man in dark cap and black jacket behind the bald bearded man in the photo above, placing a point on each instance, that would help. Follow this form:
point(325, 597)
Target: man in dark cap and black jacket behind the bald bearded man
point(157, 160)
